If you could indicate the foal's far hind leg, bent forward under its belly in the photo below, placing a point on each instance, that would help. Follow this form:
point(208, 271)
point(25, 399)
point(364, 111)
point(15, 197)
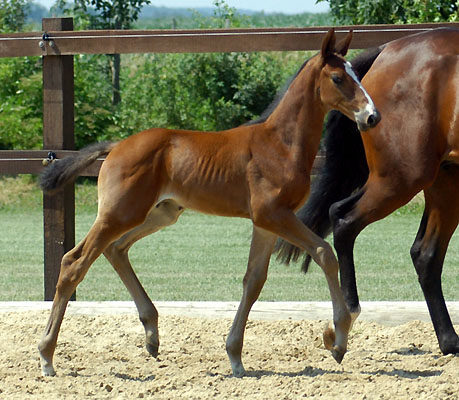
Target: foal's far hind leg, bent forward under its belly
point(164, 214)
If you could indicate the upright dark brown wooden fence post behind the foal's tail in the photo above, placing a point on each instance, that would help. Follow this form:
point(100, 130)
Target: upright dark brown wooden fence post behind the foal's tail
point(58, 134)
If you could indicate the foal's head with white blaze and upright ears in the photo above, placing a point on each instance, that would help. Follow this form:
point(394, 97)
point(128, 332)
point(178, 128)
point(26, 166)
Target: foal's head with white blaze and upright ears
point(339, 86)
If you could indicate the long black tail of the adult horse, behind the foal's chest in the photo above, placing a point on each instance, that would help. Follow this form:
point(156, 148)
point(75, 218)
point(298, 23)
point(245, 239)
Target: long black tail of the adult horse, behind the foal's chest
point(345, 170)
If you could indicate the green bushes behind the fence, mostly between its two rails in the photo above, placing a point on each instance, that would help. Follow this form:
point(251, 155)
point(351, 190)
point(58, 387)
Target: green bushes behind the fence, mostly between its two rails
point(190, 91)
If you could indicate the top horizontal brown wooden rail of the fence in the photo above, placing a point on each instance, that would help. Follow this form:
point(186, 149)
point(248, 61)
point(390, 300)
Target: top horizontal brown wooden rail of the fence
point(196, 41)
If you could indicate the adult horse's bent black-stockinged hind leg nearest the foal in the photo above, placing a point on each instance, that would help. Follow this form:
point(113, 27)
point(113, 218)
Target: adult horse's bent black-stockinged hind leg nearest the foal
point(377, 199)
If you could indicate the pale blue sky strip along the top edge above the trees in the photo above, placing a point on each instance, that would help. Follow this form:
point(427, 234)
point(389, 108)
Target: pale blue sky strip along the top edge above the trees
point(285, 6)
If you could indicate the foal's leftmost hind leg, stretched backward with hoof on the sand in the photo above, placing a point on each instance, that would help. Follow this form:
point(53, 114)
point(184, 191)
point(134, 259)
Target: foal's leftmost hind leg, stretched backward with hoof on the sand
point(74, 266)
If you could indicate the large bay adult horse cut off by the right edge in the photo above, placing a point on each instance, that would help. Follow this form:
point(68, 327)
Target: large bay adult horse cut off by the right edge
point(415, 83)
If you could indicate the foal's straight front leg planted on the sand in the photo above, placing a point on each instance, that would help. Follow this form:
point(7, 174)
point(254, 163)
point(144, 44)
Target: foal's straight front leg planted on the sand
point(254, 279)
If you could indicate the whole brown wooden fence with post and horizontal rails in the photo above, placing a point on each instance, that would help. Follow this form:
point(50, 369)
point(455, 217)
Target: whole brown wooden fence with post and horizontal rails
point(58, 43)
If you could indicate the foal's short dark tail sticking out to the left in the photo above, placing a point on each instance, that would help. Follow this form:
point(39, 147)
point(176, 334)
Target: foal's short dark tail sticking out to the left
point(64, 170)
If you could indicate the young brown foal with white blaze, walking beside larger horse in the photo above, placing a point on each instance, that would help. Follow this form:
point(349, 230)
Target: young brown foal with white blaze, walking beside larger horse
point(259, 171)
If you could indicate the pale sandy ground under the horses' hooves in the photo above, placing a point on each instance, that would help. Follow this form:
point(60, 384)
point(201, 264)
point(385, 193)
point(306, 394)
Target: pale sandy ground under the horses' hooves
point(103, 356)
